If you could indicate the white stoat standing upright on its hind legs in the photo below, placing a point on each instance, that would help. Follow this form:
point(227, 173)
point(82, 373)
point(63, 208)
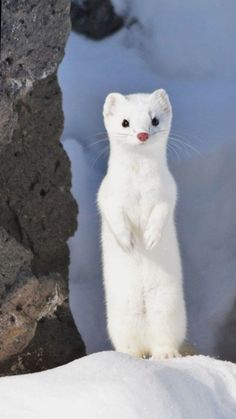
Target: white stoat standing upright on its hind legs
point(141, 261)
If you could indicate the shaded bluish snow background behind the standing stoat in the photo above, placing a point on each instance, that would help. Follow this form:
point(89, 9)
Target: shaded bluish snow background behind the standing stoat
point(189, 49)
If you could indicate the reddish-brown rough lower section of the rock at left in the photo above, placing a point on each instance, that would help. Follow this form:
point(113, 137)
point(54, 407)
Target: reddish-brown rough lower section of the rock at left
point(28, 300)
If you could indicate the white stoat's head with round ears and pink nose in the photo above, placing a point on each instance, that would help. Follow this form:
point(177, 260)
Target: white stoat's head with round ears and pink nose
point(140, 120)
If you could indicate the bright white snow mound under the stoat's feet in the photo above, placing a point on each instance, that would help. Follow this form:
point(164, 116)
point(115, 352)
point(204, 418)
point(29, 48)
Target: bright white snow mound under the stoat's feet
point(113, 385)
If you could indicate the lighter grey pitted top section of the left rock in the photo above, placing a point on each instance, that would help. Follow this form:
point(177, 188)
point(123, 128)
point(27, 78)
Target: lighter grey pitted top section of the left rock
point(34, 34)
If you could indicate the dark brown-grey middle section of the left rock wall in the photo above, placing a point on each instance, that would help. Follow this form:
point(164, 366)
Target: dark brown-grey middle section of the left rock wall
point(35, 179)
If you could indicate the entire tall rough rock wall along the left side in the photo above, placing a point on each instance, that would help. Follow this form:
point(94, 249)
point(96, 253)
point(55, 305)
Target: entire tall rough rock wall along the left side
point(37, 211)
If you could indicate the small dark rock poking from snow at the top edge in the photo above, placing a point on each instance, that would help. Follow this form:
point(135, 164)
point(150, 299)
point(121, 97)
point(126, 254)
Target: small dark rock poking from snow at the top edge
point(95, 18)
